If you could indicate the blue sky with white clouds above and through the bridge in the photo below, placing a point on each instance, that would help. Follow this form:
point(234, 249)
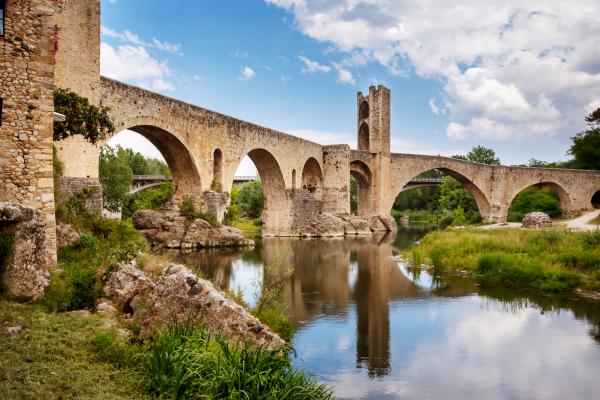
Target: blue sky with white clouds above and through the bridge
point(515, 76)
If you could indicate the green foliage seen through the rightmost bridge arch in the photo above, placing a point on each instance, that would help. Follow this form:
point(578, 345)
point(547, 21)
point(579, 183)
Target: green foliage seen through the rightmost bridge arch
point(534, 199)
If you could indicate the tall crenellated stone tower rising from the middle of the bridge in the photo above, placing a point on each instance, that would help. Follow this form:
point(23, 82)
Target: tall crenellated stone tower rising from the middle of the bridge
point(373, 134)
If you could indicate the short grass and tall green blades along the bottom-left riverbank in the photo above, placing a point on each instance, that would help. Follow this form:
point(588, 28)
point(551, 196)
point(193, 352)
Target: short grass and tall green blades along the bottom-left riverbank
point(71, 355)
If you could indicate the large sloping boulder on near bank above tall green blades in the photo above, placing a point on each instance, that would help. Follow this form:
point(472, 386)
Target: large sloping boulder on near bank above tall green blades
point(181, 295)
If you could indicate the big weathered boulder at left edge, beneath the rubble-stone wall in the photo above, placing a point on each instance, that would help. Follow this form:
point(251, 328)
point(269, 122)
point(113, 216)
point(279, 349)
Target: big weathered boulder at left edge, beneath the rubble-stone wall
point(27, 267)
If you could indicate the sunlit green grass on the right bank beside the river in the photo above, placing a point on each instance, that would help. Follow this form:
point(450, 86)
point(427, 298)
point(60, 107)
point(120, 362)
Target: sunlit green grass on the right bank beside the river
point(550, 260)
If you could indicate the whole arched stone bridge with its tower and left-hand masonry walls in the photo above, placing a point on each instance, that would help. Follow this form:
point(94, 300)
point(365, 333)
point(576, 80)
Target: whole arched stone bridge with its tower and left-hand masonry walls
point(306, 184)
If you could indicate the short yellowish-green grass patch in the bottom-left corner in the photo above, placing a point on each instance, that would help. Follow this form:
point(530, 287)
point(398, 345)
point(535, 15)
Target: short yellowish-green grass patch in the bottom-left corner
point(52, 358)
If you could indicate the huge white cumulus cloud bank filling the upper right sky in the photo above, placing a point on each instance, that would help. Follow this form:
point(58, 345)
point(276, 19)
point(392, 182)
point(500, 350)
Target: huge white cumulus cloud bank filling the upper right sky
point(510, 69)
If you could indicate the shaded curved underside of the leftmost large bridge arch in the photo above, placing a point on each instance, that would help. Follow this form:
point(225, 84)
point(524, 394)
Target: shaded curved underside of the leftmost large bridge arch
point(186, 177)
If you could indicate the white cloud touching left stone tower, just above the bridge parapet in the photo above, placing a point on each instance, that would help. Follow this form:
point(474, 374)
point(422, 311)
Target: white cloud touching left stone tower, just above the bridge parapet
point(134, 64)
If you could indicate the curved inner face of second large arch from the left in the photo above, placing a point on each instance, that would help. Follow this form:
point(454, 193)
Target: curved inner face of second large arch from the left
point(275, 213)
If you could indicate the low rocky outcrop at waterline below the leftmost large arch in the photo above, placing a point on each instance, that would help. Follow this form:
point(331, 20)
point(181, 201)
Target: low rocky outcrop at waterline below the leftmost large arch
point(171, 230)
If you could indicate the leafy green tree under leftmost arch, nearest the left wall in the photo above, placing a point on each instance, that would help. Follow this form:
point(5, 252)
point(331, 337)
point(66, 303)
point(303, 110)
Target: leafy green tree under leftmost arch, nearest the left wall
point(115, 177)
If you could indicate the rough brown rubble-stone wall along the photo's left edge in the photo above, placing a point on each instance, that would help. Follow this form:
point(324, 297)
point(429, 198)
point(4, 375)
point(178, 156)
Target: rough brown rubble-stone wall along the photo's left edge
point(26, 86)
